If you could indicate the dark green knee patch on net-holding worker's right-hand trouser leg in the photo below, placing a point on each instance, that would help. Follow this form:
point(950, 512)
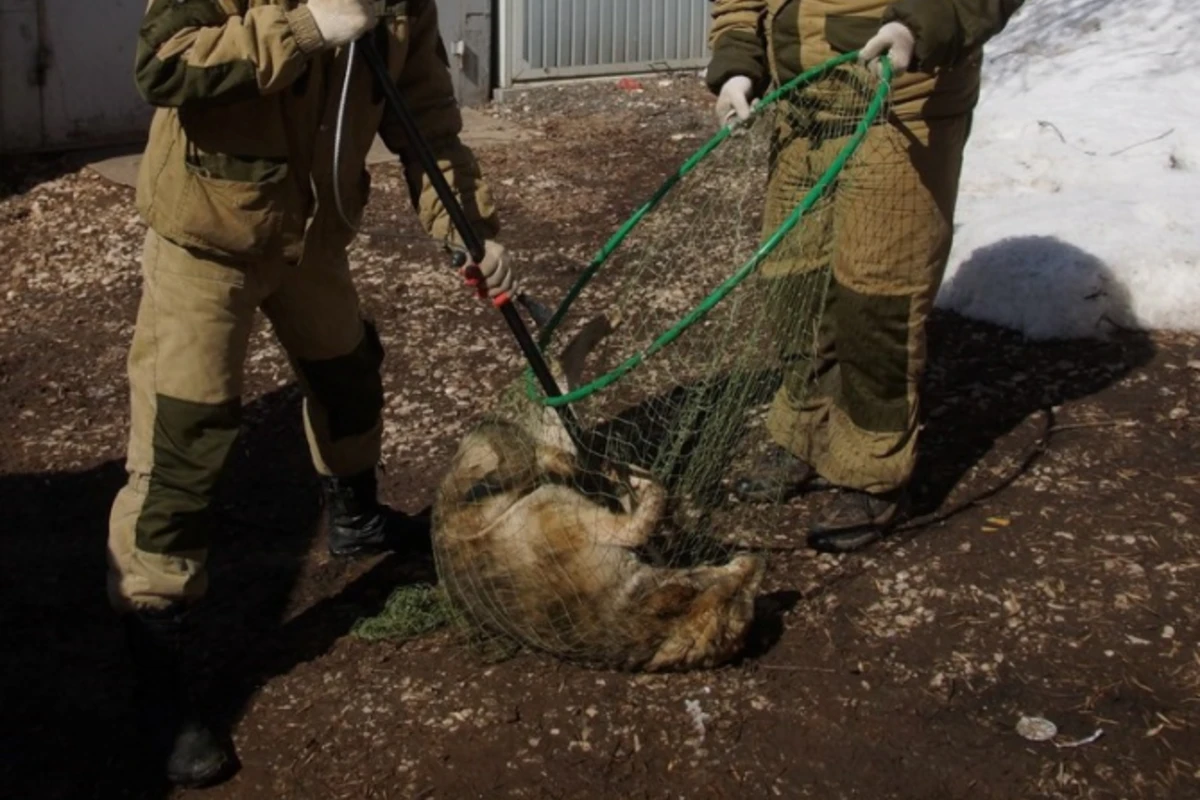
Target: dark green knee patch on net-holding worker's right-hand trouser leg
point(873, 353)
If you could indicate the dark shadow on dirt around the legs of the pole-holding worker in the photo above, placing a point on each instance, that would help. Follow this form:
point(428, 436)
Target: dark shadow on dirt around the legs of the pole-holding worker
point(65, 731)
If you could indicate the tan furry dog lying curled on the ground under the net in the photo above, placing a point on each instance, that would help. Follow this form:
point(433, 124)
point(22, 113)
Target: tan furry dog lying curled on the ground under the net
point(535, 542)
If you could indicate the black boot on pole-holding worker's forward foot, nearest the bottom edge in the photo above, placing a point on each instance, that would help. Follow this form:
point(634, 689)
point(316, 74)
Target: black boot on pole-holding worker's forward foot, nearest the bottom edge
point(177, 738)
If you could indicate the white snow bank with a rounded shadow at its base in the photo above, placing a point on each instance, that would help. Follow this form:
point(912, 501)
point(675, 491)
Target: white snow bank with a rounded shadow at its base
point(1082, 188)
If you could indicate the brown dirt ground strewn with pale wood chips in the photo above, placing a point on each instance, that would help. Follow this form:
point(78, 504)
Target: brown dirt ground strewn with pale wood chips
point(1069, 591)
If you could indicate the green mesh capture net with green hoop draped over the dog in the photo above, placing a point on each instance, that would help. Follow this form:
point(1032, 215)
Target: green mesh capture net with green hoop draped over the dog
point(717, 290)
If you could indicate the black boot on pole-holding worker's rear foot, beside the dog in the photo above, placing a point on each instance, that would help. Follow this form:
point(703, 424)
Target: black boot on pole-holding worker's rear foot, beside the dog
point(362, 526)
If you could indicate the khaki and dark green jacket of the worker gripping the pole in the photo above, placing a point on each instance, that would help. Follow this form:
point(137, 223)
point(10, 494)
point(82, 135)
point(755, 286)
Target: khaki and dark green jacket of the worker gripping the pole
point(241, 154)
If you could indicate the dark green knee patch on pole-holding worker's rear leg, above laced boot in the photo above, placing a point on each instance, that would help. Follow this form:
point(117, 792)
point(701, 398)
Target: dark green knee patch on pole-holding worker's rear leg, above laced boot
point(349, 387)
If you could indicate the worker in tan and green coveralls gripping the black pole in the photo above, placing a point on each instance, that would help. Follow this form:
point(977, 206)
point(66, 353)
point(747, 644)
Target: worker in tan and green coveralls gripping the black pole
point(237, 188)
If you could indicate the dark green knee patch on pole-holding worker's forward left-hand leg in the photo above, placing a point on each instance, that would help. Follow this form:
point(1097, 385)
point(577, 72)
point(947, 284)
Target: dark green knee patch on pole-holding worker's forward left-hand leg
point(191, 446)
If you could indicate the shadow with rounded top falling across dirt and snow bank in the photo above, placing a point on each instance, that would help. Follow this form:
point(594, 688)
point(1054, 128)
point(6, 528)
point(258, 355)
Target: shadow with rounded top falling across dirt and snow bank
point(985, 381)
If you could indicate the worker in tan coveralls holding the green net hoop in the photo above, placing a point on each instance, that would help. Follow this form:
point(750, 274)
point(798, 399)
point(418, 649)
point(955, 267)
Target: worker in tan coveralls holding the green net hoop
point(848, 411)
